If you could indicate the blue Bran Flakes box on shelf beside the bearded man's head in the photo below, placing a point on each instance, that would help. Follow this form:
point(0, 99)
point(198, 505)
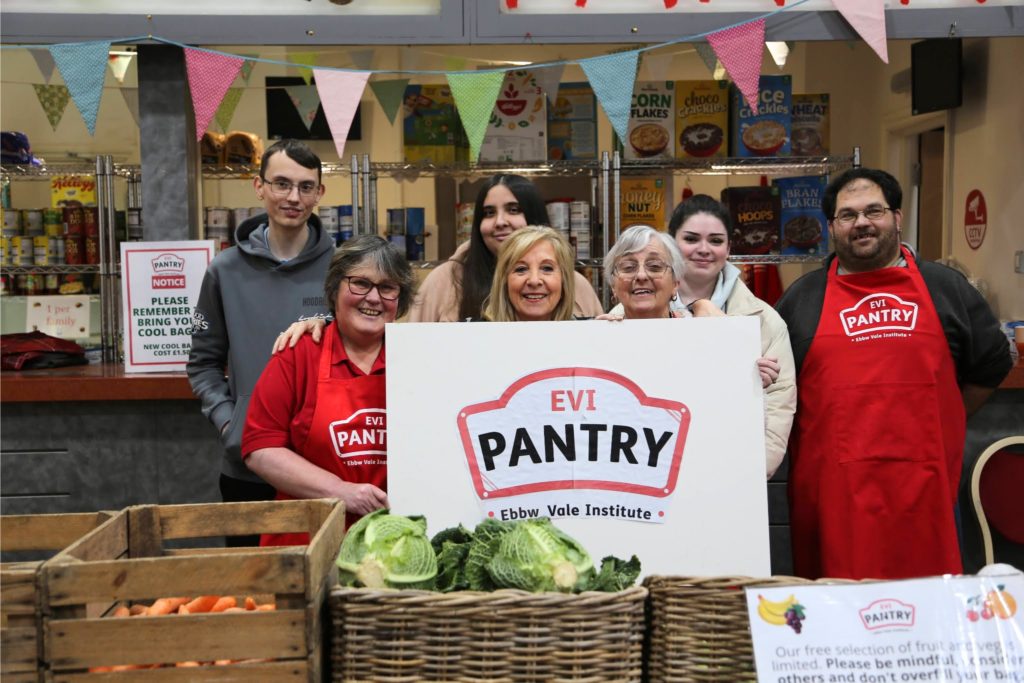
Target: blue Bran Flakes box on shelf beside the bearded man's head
point(804, 226)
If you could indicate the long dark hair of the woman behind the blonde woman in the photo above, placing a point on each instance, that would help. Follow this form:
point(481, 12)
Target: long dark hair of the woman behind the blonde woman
point(479, 269)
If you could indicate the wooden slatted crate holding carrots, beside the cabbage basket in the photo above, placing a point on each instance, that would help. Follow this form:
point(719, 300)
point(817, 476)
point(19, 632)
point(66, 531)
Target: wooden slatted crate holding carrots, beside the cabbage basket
point(125, 562)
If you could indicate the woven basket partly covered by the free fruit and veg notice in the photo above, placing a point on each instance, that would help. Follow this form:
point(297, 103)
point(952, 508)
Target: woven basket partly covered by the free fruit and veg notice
point(699, 629)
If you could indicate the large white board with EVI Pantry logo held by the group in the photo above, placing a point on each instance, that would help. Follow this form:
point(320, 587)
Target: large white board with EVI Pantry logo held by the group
point(638, 438)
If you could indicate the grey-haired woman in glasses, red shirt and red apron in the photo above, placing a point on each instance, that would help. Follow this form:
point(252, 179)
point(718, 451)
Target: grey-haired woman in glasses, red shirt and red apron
point(317, 425)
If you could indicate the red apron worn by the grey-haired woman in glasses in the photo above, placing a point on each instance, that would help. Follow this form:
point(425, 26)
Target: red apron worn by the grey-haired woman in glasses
point(348, 435)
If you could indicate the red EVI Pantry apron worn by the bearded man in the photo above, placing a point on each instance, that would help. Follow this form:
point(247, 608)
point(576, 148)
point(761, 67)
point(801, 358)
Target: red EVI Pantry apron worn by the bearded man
point(879, 439)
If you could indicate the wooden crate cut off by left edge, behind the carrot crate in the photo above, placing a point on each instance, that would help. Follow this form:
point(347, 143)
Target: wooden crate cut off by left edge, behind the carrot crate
point(21, 627)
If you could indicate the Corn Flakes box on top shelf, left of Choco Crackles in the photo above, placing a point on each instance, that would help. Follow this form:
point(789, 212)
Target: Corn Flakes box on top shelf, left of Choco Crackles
point(653, 121)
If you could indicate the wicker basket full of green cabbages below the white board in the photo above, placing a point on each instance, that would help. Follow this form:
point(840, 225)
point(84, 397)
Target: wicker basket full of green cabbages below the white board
point(502, 636)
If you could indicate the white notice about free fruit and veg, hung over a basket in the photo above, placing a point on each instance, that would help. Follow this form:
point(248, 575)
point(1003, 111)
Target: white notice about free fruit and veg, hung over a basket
point(948, 629)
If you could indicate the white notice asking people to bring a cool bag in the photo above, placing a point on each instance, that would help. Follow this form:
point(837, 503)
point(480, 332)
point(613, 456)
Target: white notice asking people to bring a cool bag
point(160, 283)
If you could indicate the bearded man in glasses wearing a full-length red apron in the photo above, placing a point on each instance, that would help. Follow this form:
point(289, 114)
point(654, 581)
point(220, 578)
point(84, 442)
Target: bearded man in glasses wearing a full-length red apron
point(891, 356)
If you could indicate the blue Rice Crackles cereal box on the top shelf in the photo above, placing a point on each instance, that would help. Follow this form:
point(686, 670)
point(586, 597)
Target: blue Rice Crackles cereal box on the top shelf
point(767, 134)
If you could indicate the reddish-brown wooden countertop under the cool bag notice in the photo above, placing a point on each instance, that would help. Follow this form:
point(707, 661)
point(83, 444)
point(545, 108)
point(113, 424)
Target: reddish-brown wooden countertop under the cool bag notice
point(93, 382)
